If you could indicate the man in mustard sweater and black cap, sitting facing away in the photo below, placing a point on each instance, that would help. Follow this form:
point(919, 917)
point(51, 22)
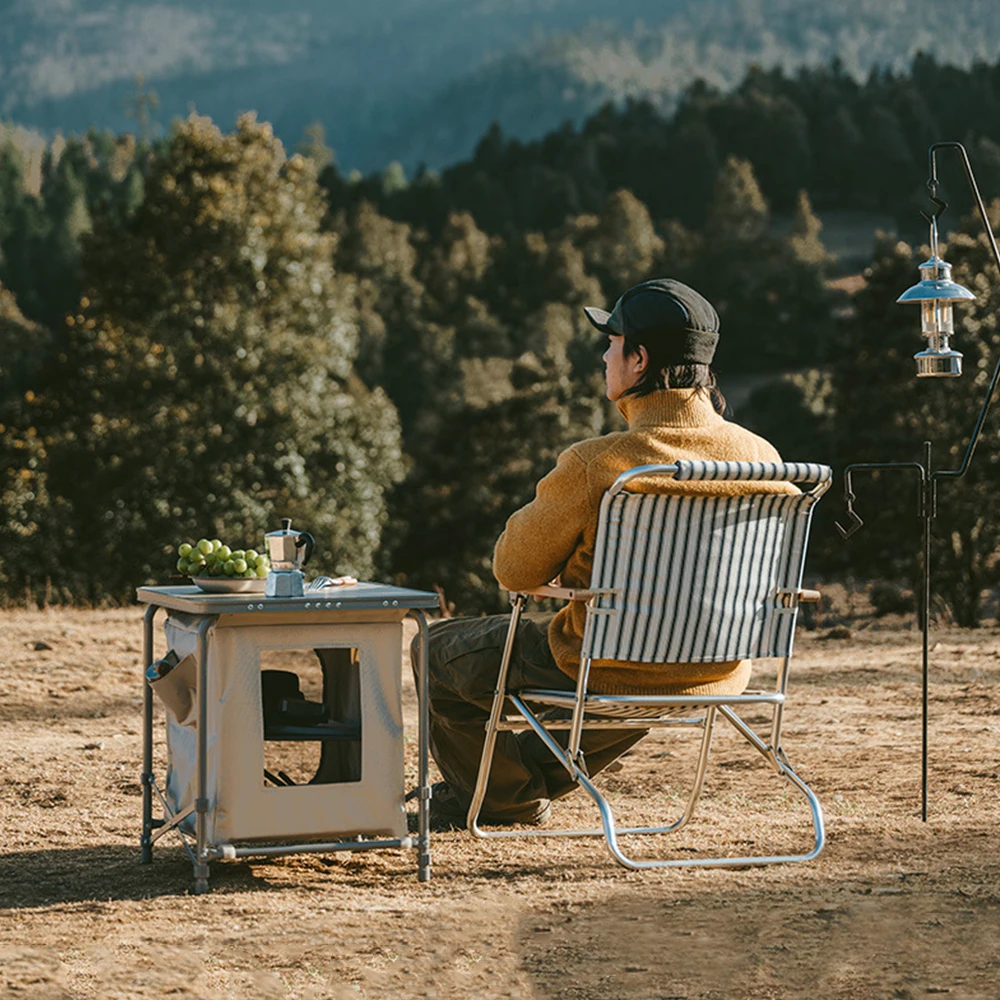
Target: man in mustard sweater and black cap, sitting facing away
point(661, 338)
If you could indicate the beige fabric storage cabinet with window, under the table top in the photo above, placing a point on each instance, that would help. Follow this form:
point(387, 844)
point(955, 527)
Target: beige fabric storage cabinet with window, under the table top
point(241, 803)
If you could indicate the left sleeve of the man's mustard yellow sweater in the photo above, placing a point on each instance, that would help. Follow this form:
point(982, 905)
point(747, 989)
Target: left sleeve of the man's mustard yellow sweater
point(540, 537)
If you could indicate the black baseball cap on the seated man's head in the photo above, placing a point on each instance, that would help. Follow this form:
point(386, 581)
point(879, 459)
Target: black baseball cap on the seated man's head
point(684, 323)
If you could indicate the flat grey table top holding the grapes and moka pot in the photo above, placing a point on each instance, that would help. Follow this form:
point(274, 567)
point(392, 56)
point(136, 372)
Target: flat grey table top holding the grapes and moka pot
point(354, 597)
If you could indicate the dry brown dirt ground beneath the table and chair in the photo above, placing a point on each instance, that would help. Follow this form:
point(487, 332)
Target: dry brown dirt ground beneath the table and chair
point(892, 908)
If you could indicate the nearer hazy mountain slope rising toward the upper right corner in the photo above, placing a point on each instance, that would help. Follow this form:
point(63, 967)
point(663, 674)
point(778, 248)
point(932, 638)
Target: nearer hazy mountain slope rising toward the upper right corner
point(538, 88)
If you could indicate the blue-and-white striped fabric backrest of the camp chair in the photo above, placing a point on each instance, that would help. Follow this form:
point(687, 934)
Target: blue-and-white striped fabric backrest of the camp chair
point(699, 578)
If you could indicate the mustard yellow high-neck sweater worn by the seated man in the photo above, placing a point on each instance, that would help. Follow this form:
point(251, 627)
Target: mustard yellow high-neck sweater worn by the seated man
point(554, 534)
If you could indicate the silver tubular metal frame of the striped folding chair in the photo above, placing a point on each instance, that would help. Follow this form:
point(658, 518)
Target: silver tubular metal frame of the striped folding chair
point(691, 711)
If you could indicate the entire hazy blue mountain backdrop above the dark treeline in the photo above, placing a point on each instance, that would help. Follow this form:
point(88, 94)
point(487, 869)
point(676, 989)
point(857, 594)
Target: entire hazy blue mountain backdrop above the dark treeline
point(421, 80)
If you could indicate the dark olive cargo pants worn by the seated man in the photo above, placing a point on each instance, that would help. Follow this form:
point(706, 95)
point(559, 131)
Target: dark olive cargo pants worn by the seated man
point(463, 663)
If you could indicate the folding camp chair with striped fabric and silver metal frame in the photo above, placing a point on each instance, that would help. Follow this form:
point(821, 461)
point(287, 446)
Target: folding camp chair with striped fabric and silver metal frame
point(676, 579)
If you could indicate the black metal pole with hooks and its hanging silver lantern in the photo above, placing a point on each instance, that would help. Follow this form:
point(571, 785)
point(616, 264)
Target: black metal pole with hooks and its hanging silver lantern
point(935, 293)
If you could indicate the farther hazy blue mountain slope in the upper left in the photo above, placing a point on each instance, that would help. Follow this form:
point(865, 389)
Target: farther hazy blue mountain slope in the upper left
point(359, 67)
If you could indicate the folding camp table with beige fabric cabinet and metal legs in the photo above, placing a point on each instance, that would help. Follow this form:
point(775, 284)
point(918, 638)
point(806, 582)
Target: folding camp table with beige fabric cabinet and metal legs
point(215, 794)
